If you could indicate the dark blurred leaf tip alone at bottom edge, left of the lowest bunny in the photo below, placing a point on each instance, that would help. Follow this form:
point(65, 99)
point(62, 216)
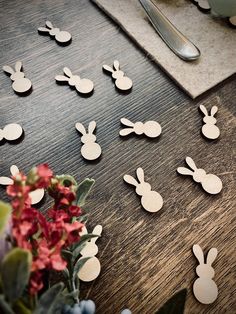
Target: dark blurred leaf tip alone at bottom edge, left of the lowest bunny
point(175, 305)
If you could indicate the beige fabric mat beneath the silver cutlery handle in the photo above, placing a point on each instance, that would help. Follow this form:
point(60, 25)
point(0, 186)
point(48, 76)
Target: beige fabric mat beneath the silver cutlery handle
point(215, 39)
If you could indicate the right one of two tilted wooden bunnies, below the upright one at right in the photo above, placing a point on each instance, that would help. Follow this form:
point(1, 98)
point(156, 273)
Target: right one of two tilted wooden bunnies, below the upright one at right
point(210, 182)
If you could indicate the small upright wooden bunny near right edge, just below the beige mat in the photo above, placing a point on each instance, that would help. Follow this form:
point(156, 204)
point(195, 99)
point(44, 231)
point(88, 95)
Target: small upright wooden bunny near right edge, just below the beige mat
point(209, 129)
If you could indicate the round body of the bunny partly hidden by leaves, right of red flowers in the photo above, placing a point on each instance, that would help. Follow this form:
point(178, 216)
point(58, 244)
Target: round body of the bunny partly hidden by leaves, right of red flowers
point(90, 270)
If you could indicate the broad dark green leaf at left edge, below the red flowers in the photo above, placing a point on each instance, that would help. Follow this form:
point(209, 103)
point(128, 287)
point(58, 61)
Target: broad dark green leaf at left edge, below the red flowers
point(15, 272)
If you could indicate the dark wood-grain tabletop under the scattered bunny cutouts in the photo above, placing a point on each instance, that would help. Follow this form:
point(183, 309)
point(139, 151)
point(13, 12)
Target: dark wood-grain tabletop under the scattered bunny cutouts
point(145, 257)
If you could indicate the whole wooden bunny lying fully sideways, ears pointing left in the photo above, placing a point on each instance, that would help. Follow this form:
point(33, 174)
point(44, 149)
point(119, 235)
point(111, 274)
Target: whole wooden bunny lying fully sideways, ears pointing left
point(149, 128)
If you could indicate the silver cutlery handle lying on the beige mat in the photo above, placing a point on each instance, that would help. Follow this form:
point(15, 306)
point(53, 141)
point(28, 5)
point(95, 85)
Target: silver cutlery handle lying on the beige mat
point(176, 41)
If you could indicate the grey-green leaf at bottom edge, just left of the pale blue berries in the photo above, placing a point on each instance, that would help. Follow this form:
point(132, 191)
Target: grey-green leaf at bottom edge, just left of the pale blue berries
point(48, 301)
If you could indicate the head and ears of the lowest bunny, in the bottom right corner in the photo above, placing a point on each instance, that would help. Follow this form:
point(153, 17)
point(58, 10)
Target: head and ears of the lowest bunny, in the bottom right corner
point(205, 270)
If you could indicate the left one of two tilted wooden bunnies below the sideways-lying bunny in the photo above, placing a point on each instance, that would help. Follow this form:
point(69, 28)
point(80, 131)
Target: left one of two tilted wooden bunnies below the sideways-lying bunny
point(150, 200)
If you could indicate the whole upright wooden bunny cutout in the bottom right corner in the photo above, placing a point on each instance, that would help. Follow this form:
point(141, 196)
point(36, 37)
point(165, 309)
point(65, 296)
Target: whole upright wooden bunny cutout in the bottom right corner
point(204, 288)
